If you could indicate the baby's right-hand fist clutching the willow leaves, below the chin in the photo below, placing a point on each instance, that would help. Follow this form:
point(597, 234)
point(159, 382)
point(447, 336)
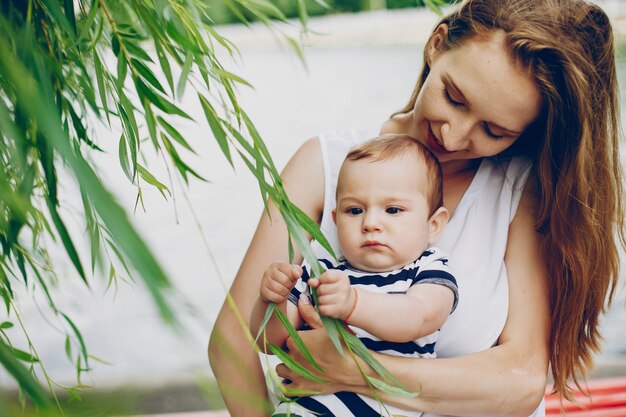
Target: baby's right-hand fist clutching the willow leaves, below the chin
point(335, 297)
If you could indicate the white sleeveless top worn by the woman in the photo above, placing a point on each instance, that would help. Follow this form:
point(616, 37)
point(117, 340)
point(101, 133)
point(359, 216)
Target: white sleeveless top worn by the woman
point(475, 239)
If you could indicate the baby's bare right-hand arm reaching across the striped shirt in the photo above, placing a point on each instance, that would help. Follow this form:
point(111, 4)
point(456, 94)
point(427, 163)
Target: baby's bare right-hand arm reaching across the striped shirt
point(393, 317)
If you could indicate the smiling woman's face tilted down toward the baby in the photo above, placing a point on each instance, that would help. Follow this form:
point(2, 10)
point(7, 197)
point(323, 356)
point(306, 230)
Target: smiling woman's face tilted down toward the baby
point(475, 101)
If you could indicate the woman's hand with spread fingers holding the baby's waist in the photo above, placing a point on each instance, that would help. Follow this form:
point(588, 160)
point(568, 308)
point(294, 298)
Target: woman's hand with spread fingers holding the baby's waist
point(342, 373)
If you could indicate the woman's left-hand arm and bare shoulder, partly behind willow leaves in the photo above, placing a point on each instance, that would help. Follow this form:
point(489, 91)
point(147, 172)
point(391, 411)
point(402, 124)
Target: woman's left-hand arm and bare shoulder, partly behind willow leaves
point(234, 362)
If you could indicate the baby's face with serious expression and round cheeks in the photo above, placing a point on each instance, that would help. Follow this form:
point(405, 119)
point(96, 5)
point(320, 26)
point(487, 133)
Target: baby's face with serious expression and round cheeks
point(382, 212)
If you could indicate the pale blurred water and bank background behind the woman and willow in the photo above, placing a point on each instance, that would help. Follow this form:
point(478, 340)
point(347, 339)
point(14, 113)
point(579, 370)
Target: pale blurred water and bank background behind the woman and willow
point(358, 69)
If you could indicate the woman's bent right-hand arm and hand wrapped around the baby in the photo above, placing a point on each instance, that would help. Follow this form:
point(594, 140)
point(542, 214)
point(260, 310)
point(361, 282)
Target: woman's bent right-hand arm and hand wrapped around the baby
point(508, 379)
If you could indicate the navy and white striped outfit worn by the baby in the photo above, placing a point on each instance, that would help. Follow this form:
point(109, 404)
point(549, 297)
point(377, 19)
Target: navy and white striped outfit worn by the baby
point(430, 268)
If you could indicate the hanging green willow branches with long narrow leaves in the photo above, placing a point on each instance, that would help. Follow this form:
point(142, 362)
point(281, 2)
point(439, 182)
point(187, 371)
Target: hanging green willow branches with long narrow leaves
point(71, 68)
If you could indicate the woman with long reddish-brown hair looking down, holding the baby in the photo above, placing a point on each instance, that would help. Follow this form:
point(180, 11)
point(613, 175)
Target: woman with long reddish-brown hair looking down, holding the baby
point(510, 90)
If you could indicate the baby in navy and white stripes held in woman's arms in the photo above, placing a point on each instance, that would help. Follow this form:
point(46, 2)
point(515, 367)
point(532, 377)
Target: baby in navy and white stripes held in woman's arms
point(391, 288)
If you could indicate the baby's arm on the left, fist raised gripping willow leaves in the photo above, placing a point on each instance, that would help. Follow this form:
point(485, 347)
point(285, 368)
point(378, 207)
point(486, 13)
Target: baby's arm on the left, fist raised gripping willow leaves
point(277, 282)
